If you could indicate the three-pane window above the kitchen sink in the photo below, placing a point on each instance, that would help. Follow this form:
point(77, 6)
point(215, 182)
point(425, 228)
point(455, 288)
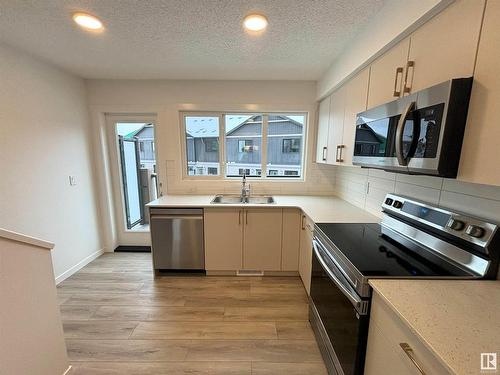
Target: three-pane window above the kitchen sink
point(259, 145)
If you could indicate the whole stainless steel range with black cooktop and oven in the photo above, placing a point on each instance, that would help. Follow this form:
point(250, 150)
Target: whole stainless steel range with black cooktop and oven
point(414, 240)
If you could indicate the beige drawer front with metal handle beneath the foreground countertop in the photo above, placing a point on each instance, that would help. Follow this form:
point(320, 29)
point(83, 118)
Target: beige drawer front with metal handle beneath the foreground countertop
point(395, 332)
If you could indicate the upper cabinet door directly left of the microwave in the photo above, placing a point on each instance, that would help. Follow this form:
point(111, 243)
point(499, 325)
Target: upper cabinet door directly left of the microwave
point(356, 91)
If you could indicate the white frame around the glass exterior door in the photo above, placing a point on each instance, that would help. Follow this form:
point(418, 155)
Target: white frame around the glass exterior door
point(117, 191)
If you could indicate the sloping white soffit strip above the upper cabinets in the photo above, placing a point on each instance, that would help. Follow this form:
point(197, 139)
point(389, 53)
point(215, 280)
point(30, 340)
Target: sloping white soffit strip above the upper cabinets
point(396, 19)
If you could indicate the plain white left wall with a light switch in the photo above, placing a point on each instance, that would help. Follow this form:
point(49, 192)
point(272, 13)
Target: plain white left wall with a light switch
point(44, 138)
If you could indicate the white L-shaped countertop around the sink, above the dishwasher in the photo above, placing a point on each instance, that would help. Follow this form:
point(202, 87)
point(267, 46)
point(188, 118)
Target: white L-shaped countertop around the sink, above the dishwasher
point(318, 209)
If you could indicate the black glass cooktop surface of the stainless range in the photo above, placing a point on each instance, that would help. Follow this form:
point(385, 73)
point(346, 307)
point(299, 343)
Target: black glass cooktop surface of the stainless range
point(376, 255)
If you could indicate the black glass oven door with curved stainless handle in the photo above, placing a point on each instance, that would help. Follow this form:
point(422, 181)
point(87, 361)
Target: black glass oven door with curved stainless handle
point(338, 315)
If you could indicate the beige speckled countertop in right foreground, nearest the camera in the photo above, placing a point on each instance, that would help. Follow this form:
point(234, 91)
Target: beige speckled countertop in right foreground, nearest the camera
point(456, 319)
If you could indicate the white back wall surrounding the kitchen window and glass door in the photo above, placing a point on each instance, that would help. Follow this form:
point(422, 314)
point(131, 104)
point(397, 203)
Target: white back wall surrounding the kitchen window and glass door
point(166, 98)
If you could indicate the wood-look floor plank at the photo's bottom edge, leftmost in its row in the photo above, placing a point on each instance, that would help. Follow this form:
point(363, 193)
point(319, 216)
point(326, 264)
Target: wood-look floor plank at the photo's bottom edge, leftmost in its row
point(165, 368)
